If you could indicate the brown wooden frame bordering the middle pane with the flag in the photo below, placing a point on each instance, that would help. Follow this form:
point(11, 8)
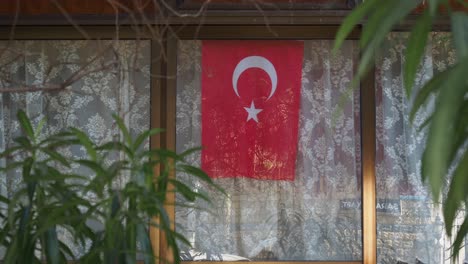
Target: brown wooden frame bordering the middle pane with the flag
point(367, 106)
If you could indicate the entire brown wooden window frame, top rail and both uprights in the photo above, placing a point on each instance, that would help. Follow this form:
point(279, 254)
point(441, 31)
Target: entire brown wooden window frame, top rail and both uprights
point(163, 98)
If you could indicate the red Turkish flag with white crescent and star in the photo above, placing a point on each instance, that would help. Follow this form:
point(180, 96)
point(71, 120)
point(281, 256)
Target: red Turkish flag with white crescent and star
point(250, 108)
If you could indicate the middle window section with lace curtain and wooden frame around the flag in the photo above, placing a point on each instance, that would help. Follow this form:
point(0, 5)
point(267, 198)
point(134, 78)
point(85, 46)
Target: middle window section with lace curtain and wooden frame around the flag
point(184, 121)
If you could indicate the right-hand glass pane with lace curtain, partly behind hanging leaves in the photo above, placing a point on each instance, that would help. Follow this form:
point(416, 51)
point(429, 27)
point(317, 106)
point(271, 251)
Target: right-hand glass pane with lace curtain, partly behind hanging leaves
point(409, 224)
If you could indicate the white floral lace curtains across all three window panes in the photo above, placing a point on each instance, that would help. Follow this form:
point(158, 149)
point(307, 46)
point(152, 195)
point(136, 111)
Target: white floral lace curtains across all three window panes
point(316, 217)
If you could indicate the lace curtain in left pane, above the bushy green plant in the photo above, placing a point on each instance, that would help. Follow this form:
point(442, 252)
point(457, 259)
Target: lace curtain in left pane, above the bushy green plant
point(114, 77)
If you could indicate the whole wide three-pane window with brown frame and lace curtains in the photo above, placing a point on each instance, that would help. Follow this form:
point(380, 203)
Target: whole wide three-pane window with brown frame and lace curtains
point(357, 196)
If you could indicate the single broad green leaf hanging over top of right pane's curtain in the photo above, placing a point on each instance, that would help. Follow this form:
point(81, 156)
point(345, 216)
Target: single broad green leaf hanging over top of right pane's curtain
point(415, 49)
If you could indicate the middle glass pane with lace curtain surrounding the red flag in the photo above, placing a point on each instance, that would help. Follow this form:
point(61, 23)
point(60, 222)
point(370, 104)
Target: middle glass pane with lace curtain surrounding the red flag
point(317, 216)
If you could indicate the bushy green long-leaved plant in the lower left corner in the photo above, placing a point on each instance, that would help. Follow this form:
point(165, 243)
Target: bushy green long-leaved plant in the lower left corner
point(51, 198)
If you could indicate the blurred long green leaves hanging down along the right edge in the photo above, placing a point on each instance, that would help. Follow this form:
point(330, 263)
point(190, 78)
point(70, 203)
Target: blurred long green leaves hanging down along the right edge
point(445, 158)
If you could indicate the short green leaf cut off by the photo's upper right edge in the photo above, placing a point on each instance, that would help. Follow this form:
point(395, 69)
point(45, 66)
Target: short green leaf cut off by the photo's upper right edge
point(460, 33)
